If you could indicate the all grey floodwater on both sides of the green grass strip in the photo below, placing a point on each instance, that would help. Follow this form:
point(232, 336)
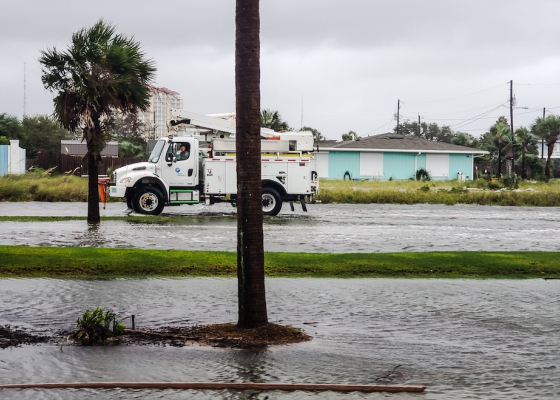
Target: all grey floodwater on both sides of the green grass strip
point(462, 338)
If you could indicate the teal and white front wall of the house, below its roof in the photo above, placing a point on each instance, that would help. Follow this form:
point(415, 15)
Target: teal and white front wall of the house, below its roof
point(396, 165)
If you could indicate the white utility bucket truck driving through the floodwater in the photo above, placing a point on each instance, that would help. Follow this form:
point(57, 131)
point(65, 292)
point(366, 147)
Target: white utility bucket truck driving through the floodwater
point(197, 164)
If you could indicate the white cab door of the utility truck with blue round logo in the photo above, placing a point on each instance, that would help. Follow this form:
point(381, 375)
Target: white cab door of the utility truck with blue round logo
point(180, 167)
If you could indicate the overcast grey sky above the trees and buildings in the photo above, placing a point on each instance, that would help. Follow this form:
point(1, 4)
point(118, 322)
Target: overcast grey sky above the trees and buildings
point(350, 61)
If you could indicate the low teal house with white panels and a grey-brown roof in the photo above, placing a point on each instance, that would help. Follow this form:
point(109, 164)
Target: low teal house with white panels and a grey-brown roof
point(390, 155)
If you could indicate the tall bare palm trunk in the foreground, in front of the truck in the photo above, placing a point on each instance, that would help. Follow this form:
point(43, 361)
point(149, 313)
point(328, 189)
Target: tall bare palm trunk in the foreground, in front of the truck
point(250, 250)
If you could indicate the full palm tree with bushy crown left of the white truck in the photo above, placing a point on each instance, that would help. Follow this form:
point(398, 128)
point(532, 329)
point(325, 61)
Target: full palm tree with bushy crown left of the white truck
point(101, 73)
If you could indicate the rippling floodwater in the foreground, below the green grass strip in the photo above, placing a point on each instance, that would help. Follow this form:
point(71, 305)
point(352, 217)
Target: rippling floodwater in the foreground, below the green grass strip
point(464, 339)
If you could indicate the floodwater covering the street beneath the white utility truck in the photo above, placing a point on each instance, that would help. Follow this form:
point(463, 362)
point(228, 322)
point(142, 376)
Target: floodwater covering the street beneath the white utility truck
point(336, 228)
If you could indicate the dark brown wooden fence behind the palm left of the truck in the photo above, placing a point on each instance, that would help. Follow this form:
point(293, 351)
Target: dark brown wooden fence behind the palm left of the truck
point(65, 163)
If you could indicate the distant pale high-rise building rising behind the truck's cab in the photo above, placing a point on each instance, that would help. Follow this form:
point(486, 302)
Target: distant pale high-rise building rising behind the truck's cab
point(157, 116)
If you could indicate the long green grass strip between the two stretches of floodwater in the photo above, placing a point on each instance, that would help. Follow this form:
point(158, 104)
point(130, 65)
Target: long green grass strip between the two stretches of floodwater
point(88, 262)
